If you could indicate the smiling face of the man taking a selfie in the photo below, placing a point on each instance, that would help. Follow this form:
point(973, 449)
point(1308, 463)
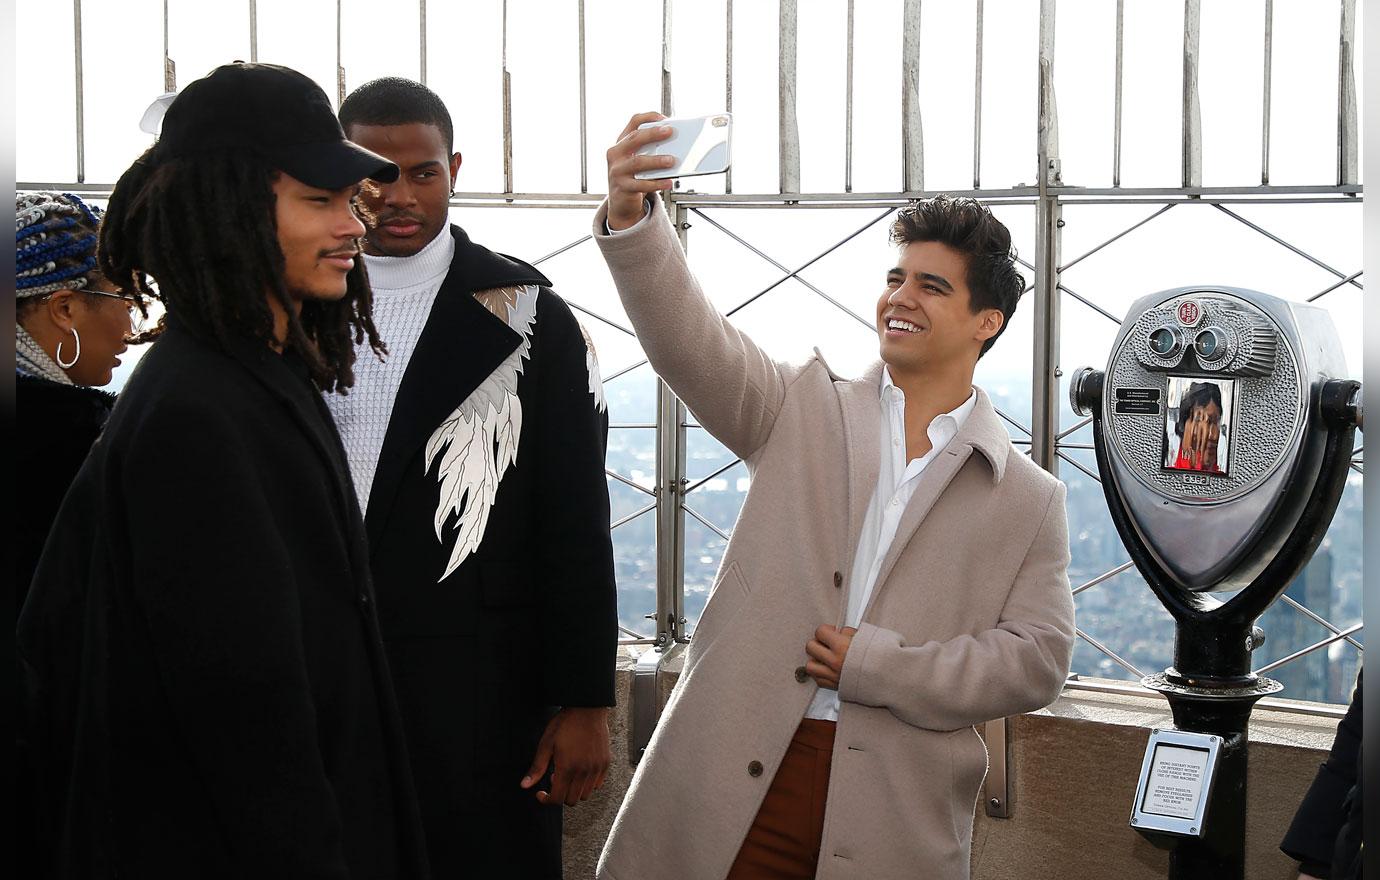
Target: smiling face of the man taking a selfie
point(925, 318)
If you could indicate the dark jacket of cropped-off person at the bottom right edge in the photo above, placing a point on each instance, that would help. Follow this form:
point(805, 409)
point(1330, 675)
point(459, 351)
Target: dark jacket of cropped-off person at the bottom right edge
point(1325, 834)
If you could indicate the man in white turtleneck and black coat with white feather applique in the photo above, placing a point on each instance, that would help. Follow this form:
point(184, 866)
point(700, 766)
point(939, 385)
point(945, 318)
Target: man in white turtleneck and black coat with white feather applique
point(478, 452)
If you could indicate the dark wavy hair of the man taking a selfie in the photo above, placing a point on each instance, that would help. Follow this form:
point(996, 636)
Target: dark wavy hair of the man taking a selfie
point(969, 228)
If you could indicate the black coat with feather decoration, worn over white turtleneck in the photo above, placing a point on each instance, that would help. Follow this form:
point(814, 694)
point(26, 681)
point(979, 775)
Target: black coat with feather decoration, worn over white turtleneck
point(528, 623)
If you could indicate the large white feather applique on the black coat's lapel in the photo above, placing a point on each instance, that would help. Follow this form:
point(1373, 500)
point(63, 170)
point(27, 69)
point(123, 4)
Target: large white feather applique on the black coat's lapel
point(480, 441)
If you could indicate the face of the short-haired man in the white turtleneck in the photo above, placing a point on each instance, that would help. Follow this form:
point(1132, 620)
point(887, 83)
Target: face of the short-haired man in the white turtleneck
point(415, 209)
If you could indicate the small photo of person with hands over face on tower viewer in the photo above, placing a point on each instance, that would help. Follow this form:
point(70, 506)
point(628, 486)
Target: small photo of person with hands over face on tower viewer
point(1199, 424)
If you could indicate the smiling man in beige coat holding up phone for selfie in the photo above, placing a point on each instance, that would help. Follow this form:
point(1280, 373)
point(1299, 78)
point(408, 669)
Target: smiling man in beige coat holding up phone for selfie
point(896, 577)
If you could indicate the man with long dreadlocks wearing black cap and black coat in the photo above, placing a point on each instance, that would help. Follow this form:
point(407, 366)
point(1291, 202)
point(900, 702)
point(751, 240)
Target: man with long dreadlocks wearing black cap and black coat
point(205, 677)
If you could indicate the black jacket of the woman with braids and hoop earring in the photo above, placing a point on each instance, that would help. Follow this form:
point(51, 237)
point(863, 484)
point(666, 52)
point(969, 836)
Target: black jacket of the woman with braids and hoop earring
point(59, 424)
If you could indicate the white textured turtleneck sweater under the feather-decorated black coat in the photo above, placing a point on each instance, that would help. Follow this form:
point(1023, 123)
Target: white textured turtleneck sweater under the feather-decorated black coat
point(405, 289)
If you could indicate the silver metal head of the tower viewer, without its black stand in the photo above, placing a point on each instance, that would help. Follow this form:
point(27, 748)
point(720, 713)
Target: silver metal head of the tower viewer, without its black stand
point(1212, 421)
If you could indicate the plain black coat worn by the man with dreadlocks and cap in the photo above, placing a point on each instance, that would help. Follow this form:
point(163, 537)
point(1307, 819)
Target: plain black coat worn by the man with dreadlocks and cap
point(204, 670)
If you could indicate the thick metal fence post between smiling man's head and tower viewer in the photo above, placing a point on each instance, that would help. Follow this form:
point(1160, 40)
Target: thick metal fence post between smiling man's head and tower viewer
point(1048, 226)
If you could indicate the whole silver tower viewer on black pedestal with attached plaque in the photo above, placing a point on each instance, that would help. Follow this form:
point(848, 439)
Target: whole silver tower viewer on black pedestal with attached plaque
point(1225, 430)
